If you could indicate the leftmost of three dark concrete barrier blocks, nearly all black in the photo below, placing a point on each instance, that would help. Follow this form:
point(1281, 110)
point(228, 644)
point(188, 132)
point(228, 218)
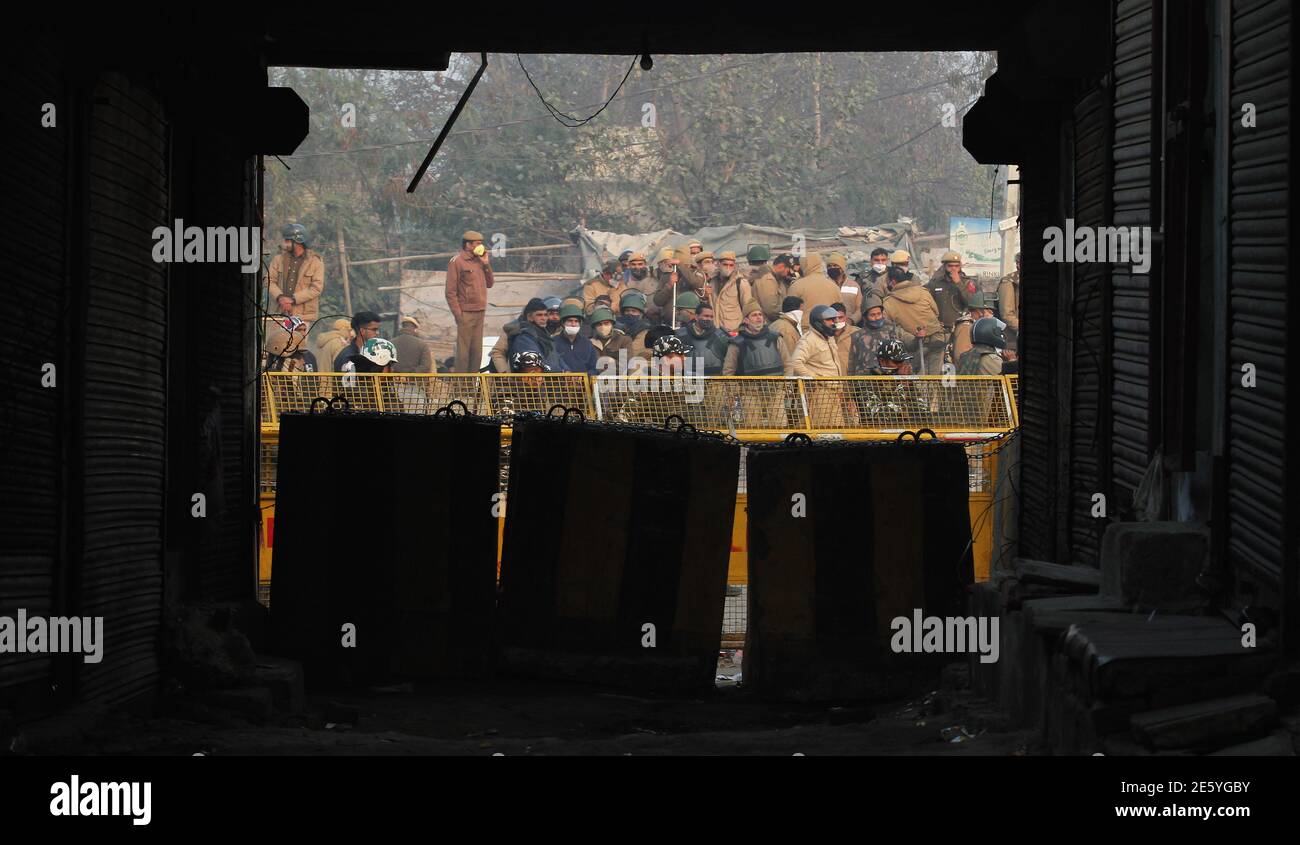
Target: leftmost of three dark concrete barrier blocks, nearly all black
point(385, 523)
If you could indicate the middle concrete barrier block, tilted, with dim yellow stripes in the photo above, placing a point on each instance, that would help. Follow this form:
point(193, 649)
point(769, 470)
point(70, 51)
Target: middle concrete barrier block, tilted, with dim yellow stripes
point(614, 562)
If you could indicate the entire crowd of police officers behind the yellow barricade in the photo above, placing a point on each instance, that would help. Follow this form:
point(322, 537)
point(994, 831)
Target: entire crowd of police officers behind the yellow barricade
point(692, 313)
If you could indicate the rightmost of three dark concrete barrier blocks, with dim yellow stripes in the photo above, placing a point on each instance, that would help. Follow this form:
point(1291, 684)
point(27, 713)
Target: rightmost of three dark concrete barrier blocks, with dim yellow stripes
point(843, 539)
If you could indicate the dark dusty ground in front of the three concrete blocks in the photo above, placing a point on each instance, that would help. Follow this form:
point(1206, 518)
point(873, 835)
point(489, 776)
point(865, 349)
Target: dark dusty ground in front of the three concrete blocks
point(519, 718)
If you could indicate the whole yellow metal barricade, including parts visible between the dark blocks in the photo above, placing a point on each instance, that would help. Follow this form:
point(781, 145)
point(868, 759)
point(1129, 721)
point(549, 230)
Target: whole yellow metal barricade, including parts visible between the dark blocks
point(973, 410)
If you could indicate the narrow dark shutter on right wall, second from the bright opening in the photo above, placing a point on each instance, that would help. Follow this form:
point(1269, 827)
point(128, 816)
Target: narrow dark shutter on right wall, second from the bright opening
point(1089, 333)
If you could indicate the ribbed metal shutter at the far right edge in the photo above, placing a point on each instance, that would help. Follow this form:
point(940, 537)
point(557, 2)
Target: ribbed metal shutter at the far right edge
point(1259, 275)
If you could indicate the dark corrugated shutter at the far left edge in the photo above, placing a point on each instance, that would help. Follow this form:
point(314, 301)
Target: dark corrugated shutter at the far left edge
point(33, 218)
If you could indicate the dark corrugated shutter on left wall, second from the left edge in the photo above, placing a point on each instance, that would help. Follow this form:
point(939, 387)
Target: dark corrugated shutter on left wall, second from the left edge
point(124, 405)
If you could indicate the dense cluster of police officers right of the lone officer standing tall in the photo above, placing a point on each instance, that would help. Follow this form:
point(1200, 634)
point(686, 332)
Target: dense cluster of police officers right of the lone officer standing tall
point(804, 317)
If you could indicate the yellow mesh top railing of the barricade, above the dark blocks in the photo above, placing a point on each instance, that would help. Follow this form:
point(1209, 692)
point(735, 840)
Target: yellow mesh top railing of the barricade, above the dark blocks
point(752, 408)
